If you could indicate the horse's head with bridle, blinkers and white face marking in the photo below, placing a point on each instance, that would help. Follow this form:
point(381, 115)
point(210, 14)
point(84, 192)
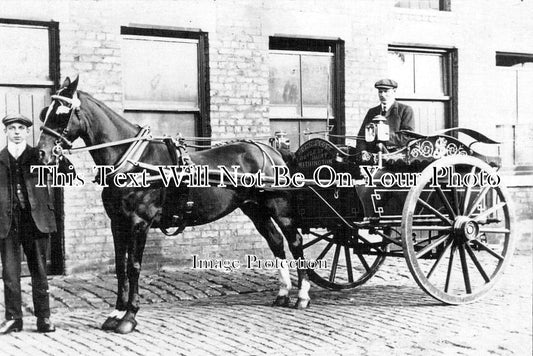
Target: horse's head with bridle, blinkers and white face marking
point(61, 122)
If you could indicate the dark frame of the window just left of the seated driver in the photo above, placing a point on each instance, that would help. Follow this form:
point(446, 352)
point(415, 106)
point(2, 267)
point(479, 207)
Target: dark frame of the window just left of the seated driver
point(293, 43)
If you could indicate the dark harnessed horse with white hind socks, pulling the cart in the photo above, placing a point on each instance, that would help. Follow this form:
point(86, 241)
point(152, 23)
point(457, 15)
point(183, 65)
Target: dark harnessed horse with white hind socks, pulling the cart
point(75, 114)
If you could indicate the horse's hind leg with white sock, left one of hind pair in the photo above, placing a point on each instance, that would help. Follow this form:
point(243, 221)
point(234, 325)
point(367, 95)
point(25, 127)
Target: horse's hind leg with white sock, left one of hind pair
point(267, 229)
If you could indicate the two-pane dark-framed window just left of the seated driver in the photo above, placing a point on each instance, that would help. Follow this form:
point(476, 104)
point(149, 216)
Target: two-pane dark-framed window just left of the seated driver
point(304, 86)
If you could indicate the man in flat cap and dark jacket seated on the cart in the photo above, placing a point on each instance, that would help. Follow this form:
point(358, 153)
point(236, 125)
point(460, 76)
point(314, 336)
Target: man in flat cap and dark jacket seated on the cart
point(399, 116)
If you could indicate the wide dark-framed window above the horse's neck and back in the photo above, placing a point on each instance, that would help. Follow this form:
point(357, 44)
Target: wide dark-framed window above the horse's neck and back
point(165, 80)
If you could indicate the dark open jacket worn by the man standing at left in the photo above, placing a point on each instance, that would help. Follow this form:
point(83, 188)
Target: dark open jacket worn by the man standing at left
point(42, 209)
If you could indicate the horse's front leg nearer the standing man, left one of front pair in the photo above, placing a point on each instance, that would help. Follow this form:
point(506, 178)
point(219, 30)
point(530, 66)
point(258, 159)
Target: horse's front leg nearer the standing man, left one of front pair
point(120, 240)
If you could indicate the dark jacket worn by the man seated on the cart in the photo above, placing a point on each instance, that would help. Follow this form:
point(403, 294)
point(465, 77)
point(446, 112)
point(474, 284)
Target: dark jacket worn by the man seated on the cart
point(399, 117)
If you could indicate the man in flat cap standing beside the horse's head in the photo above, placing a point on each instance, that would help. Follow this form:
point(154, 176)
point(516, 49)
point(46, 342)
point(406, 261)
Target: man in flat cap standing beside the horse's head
point(26, 219)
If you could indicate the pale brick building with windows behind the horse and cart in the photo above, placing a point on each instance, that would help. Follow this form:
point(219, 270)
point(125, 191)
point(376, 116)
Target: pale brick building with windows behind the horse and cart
point(243, 68)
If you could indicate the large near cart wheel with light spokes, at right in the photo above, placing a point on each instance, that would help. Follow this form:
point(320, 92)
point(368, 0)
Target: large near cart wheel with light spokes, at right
point(456, 235)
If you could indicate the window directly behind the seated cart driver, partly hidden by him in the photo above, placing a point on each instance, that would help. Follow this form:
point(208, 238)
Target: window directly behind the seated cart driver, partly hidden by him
point(425, 83)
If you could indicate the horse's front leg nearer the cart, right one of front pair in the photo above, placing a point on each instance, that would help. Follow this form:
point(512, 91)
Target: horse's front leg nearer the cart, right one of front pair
point(135, 252)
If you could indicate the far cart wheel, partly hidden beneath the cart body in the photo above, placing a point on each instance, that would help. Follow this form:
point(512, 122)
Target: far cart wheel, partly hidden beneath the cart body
point(350, 258)
